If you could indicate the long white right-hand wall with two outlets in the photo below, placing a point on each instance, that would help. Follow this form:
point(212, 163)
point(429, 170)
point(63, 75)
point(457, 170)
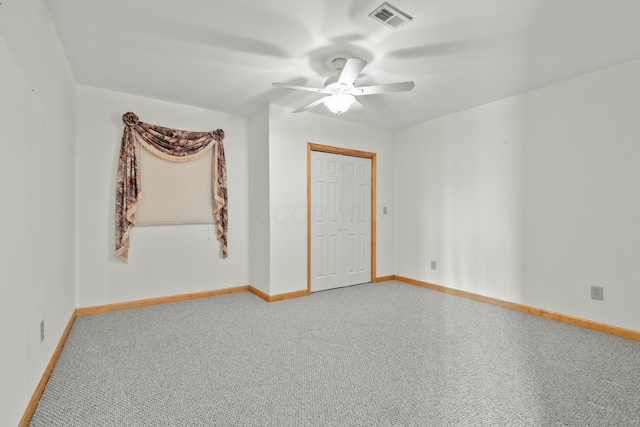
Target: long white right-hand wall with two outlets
point(531, 199)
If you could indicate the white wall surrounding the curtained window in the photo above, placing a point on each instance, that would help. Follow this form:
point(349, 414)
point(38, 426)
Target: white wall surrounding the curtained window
point(163, 260)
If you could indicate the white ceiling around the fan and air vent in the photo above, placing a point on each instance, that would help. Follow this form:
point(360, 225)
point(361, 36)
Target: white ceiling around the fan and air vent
point(224, 55)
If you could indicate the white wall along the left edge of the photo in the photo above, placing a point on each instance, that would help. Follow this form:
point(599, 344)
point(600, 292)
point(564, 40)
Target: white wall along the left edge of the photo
point(37, 178)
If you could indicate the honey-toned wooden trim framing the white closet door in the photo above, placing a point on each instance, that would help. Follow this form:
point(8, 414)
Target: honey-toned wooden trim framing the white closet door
point(347, 152)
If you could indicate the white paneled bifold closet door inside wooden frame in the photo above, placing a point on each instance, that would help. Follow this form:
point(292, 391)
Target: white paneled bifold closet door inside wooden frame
point(340, 220)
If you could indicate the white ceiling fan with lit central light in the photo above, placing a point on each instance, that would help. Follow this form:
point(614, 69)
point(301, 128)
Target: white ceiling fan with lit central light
point(340, 89)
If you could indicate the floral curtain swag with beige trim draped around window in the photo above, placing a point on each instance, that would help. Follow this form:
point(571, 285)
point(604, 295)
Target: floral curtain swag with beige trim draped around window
point(175, 146)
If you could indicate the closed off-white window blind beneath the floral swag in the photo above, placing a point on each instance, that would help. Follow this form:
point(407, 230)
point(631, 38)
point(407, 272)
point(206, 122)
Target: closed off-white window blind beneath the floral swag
point(174, 193)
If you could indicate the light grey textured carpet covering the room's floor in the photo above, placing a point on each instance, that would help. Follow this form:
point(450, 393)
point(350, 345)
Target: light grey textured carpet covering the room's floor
point(387, 354)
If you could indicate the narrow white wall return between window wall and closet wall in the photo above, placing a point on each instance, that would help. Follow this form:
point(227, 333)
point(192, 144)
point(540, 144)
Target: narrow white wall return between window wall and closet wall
point(259, 233)
